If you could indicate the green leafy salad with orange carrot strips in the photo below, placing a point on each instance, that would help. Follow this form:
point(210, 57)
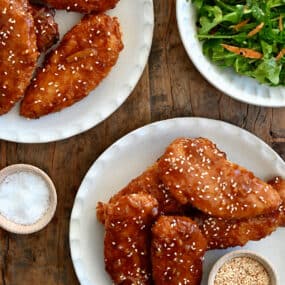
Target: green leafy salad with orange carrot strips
point(248, 35)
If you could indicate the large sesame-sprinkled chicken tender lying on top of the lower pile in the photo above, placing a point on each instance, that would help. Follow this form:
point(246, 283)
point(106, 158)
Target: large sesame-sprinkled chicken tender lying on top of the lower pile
point(198, 173)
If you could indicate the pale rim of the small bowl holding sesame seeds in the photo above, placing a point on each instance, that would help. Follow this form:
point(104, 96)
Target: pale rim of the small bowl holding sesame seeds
point(243, 253)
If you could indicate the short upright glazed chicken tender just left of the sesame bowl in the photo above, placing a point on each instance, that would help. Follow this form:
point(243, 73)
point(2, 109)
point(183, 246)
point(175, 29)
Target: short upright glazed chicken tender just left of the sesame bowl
point(177, 250)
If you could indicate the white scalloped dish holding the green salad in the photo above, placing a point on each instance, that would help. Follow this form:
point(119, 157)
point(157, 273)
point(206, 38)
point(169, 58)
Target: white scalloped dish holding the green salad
point(239, 87)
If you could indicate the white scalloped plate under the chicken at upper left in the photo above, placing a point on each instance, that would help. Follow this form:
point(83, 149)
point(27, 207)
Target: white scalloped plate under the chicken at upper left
point(137, 20)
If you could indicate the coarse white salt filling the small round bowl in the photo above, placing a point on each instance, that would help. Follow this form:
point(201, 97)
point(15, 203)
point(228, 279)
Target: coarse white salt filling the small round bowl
point(24, 197)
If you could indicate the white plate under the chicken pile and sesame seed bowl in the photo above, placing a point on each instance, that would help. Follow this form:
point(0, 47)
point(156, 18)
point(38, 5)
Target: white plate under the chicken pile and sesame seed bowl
point(129, 156)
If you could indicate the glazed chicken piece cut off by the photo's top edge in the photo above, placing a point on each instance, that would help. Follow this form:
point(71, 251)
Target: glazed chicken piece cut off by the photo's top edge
point(83, 6)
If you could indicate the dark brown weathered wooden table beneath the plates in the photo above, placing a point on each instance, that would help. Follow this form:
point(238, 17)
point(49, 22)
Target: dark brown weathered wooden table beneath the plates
point(170, 87)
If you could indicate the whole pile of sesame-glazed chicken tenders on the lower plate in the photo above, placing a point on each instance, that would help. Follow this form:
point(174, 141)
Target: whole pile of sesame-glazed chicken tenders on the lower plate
point(232, 207)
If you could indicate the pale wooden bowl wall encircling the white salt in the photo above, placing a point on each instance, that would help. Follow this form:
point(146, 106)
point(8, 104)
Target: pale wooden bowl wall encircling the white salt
point(46, 218)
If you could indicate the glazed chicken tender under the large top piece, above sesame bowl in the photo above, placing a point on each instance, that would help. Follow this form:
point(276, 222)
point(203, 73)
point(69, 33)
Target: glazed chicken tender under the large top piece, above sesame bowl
point(221, 233)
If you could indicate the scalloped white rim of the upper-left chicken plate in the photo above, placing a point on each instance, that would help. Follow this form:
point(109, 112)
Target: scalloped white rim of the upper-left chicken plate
point(138, 67)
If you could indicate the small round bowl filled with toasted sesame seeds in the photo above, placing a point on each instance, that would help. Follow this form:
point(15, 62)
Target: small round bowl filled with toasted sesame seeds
point(242, 267)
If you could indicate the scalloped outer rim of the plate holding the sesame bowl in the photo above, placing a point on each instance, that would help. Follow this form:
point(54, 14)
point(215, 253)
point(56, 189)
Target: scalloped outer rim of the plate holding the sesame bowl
point(75, 218)
